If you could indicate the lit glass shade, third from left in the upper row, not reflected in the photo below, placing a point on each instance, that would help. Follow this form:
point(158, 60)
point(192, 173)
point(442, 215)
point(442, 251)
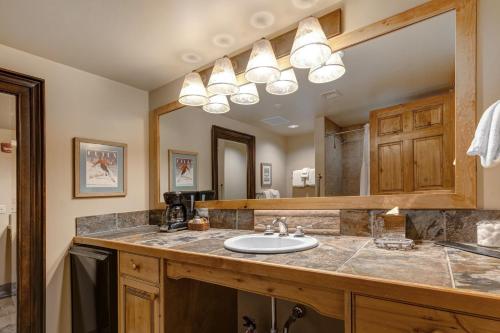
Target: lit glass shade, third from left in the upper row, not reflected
point(262, 66)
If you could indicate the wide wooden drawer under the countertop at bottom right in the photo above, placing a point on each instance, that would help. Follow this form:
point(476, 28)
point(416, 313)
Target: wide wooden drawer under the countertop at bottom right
point(380, 316)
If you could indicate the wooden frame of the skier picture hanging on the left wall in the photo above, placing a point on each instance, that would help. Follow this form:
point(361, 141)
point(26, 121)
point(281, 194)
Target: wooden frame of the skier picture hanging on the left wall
point(76, 169)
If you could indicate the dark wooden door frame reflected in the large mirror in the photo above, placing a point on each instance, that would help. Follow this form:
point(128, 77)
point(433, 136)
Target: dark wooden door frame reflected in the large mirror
point(230, 135)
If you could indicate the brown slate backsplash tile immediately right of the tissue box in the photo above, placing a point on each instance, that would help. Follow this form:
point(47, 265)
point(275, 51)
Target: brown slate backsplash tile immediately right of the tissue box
point(425, 224)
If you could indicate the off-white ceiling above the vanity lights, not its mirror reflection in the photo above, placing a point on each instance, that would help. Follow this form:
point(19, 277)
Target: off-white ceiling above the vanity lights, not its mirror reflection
point(141, 43)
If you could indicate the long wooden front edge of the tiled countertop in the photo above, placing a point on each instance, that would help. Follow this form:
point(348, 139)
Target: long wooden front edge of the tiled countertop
point(460, 300)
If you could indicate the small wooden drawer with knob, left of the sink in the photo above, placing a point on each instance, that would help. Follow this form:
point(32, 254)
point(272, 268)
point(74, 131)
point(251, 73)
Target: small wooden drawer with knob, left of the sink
point(141, 267)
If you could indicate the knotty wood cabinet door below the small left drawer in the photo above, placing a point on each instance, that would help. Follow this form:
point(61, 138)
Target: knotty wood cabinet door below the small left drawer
point(139, 308)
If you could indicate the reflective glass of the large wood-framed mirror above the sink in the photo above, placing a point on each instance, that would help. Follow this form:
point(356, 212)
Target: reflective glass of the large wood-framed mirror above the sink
point(384, 127)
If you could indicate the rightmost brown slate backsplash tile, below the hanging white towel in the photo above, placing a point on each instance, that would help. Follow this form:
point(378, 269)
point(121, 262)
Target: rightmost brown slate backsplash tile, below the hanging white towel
point(461, 224)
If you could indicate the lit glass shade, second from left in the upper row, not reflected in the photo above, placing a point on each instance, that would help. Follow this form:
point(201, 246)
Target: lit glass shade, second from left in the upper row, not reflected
point(223, 80)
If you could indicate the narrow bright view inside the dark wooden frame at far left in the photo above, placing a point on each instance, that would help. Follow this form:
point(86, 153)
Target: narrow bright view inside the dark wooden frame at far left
point(8, 267)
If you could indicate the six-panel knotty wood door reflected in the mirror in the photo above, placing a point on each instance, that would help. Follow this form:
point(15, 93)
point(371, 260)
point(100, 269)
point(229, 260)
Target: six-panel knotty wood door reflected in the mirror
point(412, 146)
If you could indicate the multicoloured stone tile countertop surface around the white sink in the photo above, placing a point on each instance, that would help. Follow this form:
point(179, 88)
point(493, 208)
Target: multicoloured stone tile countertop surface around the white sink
point(427, 264)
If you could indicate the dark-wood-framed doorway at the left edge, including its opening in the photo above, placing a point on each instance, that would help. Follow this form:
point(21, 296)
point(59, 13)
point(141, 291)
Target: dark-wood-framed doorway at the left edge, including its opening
point(22, 204)
